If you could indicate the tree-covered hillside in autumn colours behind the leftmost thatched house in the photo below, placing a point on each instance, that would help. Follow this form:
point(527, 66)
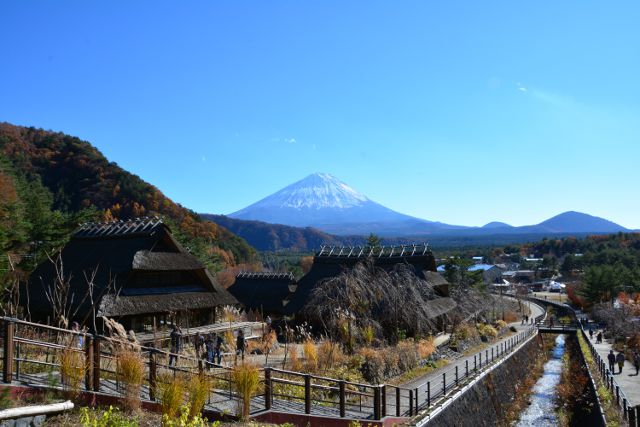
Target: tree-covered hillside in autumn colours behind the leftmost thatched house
point(49, 182)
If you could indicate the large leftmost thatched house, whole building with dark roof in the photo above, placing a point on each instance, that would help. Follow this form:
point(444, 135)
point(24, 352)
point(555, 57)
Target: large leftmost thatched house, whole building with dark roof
point(141, 274)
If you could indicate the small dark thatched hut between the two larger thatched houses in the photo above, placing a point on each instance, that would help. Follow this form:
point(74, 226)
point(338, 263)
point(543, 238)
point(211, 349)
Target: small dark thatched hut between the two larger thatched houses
point(265, 293)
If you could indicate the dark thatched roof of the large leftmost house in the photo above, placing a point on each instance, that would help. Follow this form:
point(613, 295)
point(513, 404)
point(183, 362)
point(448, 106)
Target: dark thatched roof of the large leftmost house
point(140, 256)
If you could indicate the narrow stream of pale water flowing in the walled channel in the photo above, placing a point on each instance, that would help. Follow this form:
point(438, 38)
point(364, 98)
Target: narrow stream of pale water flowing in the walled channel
point(541, 411)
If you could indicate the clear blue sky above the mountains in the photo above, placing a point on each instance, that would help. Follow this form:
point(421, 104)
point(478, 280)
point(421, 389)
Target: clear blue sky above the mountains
point(461, 112)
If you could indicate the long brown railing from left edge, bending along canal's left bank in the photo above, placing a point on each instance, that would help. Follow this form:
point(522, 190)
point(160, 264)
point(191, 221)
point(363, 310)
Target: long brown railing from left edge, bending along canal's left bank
point(32, 355)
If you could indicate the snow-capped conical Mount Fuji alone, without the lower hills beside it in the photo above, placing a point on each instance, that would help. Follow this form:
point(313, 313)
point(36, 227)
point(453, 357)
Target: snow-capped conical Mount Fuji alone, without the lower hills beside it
point(323, 201)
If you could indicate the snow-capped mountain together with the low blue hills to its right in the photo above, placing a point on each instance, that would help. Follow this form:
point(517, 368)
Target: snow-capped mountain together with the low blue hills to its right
point(325, 203)
